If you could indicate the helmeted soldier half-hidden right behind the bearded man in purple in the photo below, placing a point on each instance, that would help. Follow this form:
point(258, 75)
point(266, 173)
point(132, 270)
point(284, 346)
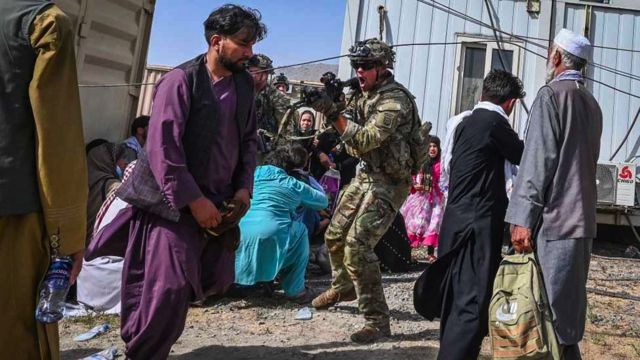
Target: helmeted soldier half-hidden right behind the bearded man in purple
point(271, 104)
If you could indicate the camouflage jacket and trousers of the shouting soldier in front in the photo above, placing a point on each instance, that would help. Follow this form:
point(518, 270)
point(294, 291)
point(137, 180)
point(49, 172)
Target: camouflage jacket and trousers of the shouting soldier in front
point(379, 135)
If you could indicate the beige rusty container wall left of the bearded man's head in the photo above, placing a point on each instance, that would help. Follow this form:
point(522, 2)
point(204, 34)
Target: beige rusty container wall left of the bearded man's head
point(112, 38)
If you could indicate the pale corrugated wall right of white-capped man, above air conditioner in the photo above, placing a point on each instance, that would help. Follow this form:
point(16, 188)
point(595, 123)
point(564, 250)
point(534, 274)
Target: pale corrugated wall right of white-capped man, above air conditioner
point(619, 29)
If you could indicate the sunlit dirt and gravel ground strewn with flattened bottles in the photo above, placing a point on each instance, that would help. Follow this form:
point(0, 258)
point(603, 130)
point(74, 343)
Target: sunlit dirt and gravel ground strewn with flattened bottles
point(265, 328)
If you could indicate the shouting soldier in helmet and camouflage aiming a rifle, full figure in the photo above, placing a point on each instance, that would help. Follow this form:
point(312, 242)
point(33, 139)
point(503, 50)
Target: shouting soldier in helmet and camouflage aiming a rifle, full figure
point(378, 132)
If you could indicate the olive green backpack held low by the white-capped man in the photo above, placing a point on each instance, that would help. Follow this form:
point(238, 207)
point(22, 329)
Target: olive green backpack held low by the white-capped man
point(520, 319)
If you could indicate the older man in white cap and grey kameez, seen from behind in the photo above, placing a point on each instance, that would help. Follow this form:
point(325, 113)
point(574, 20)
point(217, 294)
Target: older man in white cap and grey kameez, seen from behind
point(555, 193)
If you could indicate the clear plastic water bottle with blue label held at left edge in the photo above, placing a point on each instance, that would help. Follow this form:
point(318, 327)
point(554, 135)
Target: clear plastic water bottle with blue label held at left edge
point(53, 292)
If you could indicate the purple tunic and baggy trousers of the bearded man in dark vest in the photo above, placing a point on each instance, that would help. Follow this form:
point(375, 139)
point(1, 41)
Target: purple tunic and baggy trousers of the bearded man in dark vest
point(167, 264)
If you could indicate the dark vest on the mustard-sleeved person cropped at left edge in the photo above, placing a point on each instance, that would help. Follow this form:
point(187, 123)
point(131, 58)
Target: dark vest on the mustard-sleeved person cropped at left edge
point(18, 180)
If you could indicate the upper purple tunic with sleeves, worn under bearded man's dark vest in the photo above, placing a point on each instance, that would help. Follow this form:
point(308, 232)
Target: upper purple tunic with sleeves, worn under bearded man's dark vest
point(166, 154)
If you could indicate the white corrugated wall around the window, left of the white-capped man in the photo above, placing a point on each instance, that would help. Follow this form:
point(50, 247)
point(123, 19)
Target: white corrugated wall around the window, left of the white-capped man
point(428, 71)
